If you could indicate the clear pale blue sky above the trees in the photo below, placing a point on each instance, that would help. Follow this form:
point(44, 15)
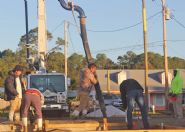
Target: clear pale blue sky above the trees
point(102, 15)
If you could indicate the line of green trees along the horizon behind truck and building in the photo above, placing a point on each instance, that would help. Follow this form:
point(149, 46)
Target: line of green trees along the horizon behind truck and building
point(55, 59)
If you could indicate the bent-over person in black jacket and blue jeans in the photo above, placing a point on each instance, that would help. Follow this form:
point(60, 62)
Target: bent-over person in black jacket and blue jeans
point(131, 92)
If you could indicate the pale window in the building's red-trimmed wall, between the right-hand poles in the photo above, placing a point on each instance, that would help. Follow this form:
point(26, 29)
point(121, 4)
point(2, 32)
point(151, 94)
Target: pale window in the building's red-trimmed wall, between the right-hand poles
point(159, 100)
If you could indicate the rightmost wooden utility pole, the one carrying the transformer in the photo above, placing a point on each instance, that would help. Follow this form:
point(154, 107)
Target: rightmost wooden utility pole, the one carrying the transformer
point(165, 48)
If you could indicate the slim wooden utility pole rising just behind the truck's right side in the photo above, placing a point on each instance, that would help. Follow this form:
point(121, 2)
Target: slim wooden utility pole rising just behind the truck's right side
point(65, 44)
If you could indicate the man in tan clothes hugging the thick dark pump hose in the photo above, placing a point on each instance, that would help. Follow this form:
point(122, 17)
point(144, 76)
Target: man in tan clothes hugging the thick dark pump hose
point(87, 81)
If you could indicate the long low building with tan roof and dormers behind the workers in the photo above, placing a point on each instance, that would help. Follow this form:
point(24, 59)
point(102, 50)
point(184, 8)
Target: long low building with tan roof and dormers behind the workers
point(110, 80)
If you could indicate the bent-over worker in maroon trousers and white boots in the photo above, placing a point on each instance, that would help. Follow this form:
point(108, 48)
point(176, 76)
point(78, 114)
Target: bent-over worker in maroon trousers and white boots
point(34, 98)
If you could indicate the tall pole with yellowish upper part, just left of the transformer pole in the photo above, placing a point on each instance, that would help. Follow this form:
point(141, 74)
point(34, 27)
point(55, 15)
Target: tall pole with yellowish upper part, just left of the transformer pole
point(145, 50)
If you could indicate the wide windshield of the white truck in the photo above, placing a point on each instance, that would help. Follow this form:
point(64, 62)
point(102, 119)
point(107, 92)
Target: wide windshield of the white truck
point(54, 83)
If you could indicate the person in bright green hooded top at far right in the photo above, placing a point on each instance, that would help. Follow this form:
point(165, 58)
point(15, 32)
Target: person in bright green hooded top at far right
point(176, 91)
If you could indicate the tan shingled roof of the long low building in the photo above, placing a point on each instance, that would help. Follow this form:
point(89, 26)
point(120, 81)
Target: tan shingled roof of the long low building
point(154, 81)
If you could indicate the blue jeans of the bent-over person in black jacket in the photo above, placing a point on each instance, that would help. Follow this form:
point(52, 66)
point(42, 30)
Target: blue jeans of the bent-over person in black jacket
point(132, 97)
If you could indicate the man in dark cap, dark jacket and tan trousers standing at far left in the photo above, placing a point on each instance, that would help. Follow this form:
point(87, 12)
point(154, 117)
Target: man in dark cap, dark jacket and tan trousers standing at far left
point(14, 88)
